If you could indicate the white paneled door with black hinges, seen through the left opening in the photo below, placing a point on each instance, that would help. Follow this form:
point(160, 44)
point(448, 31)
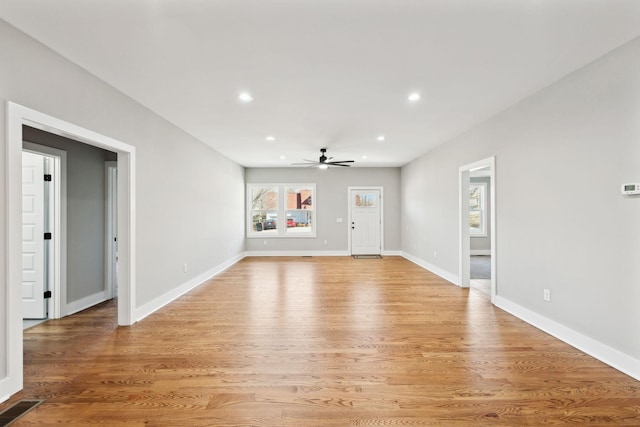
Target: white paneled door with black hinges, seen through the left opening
point(33, 242)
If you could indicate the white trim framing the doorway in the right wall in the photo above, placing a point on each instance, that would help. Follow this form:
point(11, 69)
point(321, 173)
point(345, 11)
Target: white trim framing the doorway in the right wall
point(465, 244)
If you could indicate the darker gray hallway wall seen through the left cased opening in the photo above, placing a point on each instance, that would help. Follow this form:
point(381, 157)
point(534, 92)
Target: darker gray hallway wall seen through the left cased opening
point(85, 213)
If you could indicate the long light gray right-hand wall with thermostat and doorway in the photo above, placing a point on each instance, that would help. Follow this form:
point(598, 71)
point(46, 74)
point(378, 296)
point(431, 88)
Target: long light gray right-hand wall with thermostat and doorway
point(562, 224)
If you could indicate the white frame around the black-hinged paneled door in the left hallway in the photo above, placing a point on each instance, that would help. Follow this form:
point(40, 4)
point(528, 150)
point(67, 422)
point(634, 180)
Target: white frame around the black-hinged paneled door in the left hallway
point(58, 259)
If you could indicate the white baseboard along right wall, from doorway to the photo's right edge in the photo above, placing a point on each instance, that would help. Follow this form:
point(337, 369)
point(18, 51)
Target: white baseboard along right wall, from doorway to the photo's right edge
point(612, 357)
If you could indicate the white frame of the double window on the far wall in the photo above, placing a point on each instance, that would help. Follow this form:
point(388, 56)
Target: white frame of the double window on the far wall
point(281, 213)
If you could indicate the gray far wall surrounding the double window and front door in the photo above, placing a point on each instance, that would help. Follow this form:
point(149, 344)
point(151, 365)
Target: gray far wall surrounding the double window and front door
point(332, 203)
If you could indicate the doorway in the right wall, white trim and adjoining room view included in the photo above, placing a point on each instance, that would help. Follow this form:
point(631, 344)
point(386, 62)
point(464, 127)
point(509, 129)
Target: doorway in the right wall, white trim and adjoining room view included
point(478, 226)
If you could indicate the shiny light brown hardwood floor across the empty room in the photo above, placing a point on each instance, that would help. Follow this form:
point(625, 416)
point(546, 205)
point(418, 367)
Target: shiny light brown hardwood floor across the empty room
point(324, 341)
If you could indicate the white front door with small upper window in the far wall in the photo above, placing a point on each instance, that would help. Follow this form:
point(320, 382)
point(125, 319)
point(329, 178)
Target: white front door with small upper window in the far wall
point(365, 207)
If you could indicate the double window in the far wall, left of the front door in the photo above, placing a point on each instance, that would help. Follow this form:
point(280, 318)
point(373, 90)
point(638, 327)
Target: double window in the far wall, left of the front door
point(281, 210)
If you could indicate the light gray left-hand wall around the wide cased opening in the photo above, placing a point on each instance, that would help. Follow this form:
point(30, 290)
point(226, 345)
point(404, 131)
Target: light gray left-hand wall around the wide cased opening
point(188, 196)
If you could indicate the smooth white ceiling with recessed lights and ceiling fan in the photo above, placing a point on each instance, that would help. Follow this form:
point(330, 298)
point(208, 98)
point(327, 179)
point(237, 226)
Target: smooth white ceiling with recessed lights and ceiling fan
point(327, 73)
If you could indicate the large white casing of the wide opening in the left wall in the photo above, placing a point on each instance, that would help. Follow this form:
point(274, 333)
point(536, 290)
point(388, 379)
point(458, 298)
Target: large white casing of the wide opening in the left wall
point(17, 116)
